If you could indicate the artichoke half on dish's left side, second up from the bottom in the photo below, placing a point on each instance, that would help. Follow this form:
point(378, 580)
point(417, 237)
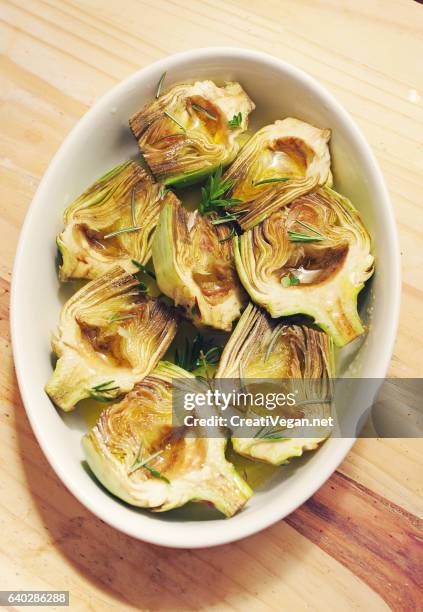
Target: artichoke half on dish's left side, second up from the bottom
point(110, 336)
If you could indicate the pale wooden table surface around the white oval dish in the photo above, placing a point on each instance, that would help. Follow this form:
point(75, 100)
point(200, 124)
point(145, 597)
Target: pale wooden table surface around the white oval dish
point(355, 544)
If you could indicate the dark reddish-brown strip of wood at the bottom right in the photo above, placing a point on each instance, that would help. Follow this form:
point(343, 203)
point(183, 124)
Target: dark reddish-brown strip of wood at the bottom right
point(376, 539)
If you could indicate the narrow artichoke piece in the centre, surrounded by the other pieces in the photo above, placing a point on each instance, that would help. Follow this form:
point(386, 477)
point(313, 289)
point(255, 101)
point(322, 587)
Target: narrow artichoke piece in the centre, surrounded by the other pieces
point(194, 266)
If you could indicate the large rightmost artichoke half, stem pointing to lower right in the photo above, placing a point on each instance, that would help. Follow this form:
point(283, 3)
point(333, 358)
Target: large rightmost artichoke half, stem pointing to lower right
point(312, 257)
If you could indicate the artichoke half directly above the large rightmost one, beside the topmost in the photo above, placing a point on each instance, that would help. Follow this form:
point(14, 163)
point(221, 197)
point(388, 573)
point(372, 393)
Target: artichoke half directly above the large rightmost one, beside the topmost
point(279, 163)
